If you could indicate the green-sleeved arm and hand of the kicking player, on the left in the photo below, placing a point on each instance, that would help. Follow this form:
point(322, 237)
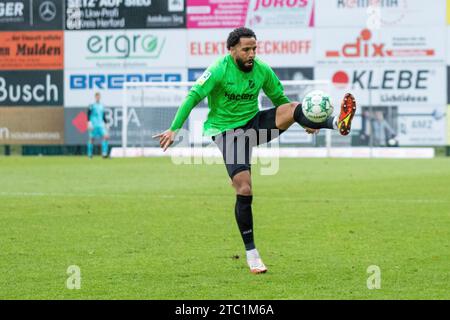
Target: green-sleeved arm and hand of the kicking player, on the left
point(204, 85)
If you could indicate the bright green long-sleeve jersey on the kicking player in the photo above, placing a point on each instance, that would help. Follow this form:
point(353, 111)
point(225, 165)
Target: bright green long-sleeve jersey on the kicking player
point(232, 95)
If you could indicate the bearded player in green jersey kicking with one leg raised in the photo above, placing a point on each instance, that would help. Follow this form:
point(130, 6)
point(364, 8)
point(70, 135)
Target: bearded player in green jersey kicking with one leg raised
point(232, 85)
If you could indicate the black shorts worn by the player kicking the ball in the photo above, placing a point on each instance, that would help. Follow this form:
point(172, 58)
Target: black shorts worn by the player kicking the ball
point(236, 144)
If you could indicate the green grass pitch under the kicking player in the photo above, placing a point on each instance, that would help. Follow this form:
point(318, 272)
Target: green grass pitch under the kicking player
point(149, 229)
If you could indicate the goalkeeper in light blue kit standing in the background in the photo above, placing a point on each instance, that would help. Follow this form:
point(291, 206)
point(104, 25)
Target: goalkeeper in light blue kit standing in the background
point(97, 127)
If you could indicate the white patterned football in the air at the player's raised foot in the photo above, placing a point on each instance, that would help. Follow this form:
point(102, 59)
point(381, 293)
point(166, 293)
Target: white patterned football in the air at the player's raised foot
point(317, 106)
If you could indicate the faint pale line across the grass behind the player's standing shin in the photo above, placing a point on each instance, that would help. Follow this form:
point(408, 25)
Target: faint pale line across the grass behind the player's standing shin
point(111, 195)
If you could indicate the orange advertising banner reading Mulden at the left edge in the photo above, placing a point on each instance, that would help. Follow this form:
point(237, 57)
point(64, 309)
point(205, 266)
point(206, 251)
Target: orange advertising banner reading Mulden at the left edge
point(31, 50)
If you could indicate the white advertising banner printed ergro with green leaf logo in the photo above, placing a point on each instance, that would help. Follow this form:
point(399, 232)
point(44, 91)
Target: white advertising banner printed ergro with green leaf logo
point(125, 49)
